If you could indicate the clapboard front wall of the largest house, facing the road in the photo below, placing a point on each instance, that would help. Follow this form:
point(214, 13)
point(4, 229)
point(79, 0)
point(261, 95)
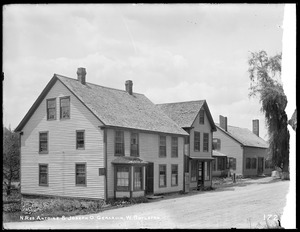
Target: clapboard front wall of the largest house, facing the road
point(148, 151)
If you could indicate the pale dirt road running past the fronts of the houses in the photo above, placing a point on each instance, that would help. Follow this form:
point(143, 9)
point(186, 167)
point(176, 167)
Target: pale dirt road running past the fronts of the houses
point(231, 207)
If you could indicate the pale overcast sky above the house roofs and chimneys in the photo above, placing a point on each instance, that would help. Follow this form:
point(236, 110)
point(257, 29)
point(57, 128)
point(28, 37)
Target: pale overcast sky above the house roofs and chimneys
point(172, 53)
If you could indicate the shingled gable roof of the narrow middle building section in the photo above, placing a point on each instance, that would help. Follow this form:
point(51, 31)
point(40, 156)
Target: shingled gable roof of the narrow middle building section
point(185, 113)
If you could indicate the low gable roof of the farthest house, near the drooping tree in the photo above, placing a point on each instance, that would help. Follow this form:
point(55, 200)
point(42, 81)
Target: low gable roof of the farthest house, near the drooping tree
point(244, 136)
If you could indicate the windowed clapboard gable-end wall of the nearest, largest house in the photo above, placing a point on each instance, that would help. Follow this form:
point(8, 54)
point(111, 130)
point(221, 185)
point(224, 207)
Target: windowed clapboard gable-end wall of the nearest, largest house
point(62, 155)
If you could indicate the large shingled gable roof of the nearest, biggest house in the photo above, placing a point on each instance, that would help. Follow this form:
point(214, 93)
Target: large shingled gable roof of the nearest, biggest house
point(113, 107)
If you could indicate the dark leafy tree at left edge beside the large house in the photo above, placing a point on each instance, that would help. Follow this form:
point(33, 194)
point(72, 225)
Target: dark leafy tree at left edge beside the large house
point(11, 158)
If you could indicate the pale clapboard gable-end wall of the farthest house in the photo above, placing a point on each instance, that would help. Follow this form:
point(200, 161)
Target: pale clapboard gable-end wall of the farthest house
point(231, 148)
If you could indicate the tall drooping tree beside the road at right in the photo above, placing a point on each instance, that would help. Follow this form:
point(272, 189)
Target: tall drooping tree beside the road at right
point(265, 74)
